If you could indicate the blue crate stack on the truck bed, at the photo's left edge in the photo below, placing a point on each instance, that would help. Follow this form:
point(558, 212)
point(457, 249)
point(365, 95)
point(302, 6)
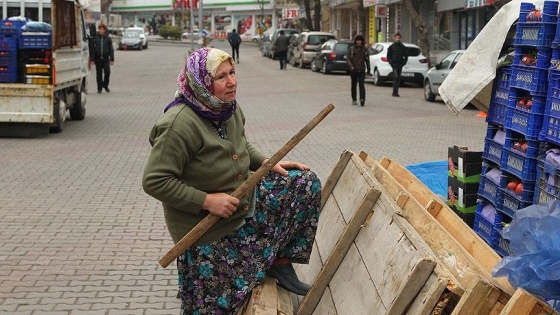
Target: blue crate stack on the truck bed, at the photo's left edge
point(9, 33)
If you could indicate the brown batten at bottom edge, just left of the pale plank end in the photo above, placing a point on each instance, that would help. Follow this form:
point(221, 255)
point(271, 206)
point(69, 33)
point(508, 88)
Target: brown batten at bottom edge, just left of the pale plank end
point(414, 282)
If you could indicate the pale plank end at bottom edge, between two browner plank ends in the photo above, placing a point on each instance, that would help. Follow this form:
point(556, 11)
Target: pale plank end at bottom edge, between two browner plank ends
point(428, 296)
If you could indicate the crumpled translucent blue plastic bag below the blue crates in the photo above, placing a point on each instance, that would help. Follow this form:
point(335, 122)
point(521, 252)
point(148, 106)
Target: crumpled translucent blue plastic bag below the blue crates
point(534, 237)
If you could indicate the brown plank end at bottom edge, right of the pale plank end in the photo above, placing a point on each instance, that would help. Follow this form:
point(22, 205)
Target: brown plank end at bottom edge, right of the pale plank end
point(479, 298)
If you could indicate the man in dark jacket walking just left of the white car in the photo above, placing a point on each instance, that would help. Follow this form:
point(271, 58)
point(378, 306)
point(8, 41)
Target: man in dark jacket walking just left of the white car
point(358, 60)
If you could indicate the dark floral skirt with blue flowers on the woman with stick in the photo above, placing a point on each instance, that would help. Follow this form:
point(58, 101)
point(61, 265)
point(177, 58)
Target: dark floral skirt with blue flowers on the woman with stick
point(218, 277)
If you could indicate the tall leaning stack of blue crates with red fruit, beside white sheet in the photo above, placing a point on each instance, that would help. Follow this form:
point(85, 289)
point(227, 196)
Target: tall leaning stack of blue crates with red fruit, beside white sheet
point(519, 138)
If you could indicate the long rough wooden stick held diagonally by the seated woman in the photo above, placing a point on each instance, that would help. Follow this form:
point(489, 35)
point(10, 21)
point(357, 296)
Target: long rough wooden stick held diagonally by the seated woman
point(205, 224)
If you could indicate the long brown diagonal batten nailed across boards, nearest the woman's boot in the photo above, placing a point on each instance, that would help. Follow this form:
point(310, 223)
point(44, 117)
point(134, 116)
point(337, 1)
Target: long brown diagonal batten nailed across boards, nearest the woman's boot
point(333, 262)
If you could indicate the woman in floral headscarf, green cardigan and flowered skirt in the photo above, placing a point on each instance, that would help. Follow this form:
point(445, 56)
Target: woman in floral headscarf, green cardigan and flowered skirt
point(199, 156)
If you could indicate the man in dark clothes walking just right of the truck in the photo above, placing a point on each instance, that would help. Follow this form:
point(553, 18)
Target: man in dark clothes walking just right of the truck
point(103, 57)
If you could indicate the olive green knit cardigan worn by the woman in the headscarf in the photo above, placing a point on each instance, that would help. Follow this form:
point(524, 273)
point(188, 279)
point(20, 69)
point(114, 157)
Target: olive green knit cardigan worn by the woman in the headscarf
point(188, 160)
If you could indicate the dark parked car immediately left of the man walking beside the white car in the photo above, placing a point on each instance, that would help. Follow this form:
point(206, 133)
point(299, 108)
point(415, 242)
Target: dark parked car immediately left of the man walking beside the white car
point(331, 57)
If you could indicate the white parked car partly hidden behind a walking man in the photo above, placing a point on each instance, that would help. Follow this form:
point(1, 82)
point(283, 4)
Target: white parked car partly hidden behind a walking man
point(414, 71)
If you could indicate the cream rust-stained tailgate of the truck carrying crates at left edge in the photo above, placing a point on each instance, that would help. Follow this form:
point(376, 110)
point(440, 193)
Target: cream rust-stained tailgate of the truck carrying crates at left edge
point(26, 103)
